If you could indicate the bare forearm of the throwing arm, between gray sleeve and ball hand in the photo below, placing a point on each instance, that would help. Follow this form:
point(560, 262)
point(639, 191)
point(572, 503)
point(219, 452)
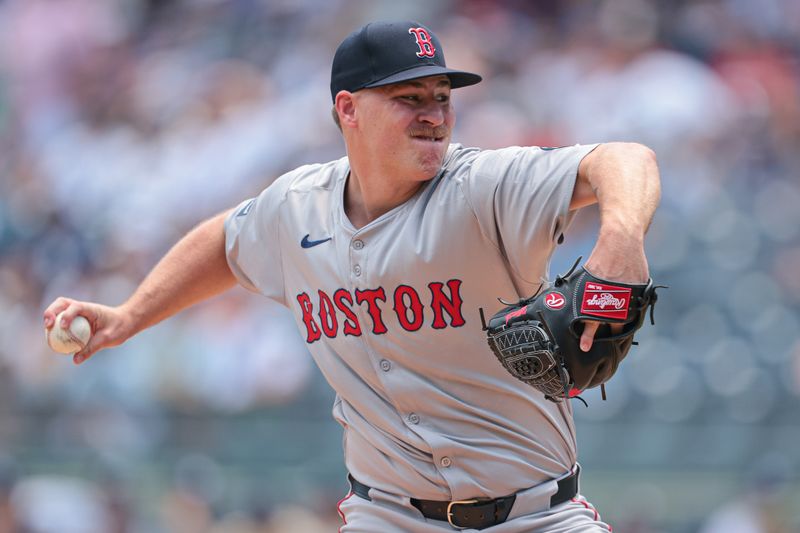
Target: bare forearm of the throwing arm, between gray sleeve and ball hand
point(194, 269)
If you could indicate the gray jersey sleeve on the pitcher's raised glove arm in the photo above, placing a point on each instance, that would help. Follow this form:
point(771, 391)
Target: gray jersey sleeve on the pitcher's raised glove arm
point(521, 197)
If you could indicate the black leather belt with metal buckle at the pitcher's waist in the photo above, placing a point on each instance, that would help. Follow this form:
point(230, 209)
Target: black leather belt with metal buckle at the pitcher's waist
point(477, 513)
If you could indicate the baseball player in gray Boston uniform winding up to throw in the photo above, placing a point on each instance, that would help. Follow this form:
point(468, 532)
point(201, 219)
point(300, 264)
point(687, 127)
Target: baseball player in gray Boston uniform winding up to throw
point(386, 257)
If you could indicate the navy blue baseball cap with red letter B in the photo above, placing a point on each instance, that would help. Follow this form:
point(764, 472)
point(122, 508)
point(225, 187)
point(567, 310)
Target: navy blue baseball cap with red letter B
point(382, 53)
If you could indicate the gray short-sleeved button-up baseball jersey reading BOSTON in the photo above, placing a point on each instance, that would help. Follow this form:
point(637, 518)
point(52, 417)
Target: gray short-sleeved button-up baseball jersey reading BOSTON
point(390, 314)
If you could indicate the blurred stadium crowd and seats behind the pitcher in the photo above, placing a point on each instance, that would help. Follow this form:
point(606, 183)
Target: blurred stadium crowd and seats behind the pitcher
point(125, 122)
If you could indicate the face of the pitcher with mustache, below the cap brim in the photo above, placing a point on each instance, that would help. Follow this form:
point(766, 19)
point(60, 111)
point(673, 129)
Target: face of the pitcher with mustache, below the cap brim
point(407, 125)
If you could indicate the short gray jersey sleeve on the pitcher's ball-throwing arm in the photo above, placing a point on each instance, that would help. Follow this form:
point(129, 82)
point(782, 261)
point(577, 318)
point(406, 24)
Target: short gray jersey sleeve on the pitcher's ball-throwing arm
point(252, 244)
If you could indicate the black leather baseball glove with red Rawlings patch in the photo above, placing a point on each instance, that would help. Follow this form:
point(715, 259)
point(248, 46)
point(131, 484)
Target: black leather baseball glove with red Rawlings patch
point(537, 339)
